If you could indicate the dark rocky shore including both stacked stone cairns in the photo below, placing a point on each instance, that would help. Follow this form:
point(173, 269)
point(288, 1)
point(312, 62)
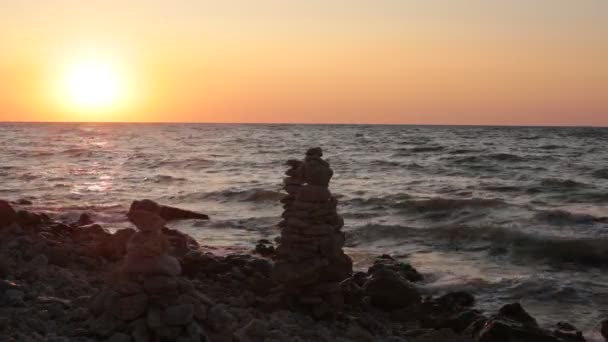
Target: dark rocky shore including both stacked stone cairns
point(77, 281)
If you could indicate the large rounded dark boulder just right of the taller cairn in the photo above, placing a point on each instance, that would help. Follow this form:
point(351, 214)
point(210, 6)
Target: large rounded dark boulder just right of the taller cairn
point(388, 290)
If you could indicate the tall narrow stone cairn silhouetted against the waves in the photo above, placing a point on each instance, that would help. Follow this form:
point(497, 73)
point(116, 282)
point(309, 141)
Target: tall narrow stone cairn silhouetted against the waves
point(310, 262)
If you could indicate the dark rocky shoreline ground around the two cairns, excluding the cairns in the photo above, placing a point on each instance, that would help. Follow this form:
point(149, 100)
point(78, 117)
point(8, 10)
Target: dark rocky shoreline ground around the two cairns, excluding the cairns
point(51, 271)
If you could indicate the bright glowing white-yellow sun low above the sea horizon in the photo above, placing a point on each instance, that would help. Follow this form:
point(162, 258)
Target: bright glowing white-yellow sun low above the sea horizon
point(92, 85)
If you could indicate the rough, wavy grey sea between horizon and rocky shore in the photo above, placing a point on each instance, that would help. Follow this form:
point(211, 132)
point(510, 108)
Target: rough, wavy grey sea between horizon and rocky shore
point(508, 213)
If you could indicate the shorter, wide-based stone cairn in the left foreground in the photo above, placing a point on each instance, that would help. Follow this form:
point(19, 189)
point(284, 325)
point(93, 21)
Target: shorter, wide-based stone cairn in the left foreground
point(146, 300)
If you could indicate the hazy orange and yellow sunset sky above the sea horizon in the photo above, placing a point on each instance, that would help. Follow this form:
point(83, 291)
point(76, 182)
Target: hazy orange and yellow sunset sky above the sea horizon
point(482, 62)
